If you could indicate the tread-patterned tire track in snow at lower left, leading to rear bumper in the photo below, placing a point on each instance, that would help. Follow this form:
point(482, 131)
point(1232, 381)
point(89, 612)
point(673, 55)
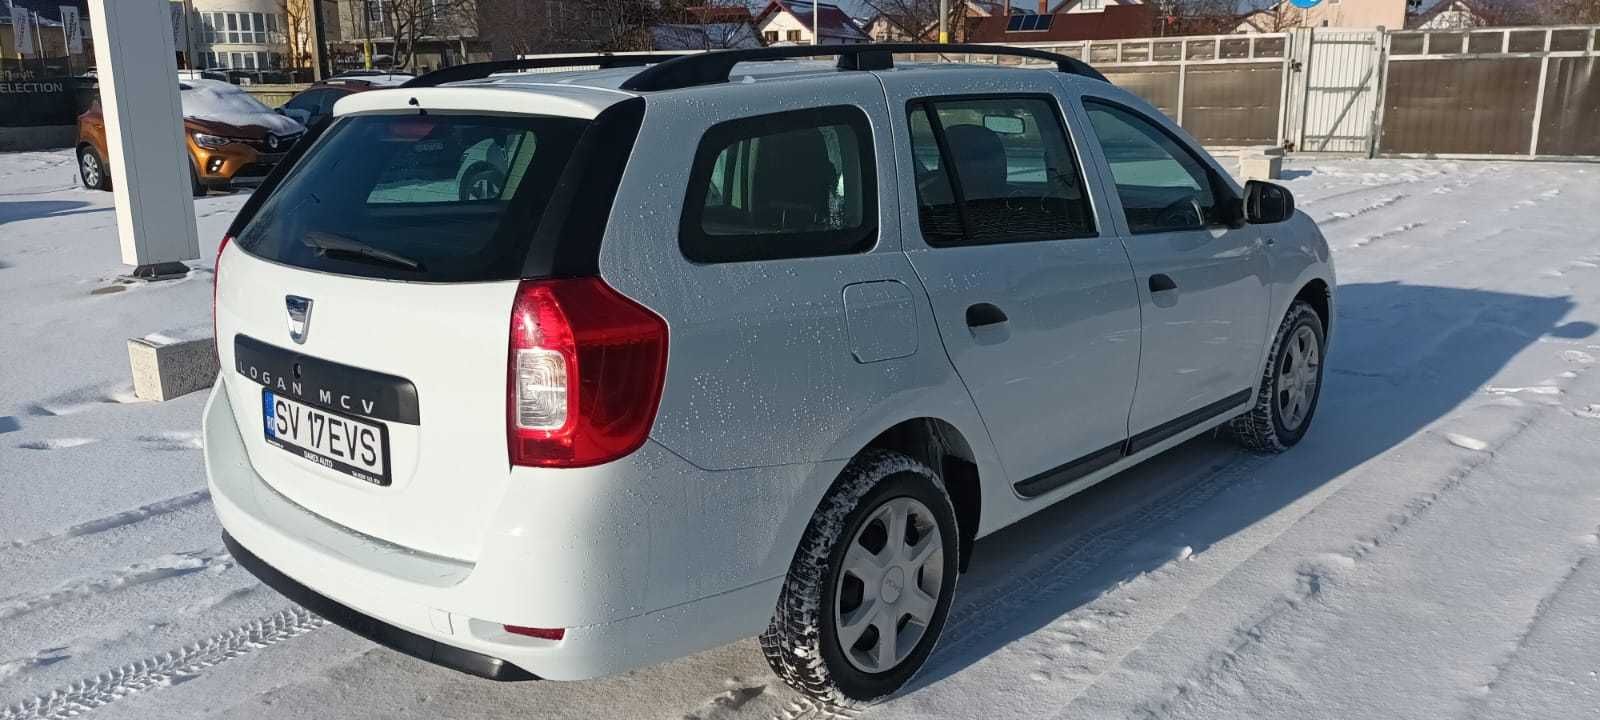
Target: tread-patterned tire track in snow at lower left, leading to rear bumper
point(164, 670)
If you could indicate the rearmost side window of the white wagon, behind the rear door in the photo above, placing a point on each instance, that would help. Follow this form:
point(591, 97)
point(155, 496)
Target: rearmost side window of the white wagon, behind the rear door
point(791, 185)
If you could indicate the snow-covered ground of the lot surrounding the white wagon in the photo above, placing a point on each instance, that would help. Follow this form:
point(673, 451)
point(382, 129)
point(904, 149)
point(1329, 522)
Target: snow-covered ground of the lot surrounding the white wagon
point(1430, 551)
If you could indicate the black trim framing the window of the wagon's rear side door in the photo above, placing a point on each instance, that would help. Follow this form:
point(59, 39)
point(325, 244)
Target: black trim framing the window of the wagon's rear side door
point(954, 178)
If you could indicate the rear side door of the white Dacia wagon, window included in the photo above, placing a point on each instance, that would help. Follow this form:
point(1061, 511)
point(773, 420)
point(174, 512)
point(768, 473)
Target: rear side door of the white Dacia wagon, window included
point(1033, 295)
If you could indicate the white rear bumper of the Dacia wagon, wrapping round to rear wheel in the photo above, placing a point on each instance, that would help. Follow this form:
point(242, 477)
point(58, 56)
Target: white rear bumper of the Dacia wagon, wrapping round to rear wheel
point(665, 580)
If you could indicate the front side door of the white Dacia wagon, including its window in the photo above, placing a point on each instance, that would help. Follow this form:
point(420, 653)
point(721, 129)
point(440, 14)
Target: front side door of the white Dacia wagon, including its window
point(1201, 276)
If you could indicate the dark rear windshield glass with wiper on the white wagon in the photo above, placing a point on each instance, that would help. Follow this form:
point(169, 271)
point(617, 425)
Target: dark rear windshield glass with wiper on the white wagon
point(417, 198)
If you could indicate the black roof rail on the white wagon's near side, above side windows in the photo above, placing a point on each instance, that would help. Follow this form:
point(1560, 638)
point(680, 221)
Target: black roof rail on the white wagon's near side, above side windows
point(689, 71)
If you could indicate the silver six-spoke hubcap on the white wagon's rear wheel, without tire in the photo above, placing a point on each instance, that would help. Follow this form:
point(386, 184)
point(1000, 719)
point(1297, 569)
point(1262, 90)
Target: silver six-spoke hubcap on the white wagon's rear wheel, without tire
point(889, 586)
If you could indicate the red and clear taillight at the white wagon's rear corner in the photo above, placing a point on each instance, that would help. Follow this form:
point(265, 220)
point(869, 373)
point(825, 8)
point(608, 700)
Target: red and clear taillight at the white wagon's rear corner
point(585, 374)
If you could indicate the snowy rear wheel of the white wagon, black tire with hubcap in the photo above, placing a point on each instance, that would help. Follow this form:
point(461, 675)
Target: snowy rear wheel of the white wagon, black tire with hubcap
point(871, 585)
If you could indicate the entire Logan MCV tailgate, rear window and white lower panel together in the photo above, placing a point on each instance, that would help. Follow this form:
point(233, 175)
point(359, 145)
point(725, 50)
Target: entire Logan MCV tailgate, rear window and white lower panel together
point(366, 308)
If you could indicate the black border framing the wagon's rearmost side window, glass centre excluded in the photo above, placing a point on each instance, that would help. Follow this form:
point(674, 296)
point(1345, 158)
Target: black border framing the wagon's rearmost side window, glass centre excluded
point(702, 249)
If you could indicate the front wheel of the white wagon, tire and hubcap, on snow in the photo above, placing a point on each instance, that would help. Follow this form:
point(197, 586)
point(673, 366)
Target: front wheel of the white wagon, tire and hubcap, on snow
point(1290, 385)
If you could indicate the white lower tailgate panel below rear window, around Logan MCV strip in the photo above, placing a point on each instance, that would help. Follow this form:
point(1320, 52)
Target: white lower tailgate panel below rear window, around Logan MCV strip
point(449, 342)
